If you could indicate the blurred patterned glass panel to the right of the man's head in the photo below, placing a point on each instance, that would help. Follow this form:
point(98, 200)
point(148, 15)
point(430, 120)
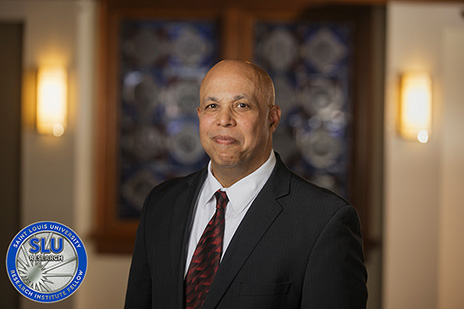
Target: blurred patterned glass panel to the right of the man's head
point(310, 64)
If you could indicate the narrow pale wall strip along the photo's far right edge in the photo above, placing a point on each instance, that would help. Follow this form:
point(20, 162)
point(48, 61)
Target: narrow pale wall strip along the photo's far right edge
point(451, 257)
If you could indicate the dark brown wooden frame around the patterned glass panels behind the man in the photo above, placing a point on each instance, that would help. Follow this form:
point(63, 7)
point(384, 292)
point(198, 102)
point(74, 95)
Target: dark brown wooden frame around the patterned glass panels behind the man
point(116, 235)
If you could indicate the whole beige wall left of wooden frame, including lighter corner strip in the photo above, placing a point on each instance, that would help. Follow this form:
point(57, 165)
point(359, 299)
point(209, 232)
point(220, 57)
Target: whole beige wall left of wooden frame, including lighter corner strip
point(57, 173)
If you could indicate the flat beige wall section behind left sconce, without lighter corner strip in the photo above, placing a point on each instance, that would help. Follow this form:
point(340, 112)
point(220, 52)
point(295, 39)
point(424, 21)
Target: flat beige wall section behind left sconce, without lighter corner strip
point(47, 176)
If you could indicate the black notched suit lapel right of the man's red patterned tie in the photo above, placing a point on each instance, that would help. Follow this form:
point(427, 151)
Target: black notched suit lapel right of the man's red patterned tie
point(262, 213)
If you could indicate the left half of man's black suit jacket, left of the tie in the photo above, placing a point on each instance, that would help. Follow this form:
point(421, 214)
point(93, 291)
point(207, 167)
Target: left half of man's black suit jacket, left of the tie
point(156, 276)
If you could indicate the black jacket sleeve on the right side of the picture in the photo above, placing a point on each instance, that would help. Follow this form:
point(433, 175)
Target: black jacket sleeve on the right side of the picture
point(335, 275)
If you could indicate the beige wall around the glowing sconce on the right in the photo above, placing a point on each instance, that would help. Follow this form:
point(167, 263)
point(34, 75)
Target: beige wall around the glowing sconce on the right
point(416, 175)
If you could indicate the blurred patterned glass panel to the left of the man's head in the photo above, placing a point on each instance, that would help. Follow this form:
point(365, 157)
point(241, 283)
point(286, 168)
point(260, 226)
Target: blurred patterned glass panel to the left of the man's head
point(161, 66)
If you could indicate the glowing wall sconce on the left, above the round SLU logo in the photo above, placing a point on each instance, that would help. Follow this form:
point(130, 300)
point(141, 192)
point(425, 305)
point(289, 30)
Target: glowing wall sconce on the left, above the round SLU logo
point(52, 95)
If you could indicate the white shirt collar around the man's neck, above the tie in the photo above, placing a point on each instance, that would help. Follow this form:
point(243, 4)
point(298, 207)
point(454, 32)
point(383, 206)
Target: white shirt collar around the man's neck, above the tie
point(242, 192)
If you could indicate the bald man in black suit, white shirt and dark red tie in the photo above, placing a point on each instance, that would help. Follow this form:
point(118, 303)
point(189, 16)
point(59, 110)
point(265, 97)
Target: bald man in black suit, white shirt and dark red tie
point(245, 232)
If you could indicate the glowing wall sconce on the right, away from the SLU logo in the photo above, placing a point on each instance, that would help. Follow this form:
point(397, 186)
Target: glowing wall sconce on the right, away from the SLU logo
point(415, 112)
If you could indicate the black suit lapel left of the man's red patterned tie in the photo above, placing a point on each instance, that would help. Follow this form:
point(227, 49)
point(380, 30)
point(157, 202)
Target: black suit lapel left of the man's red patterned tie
point(181, 226)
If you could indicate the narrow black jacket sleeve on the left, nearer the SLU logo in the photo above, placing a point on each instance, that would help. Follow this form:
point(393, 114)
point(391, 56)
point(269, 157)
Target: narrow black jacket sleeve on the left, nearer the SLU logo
point(138, 293)
